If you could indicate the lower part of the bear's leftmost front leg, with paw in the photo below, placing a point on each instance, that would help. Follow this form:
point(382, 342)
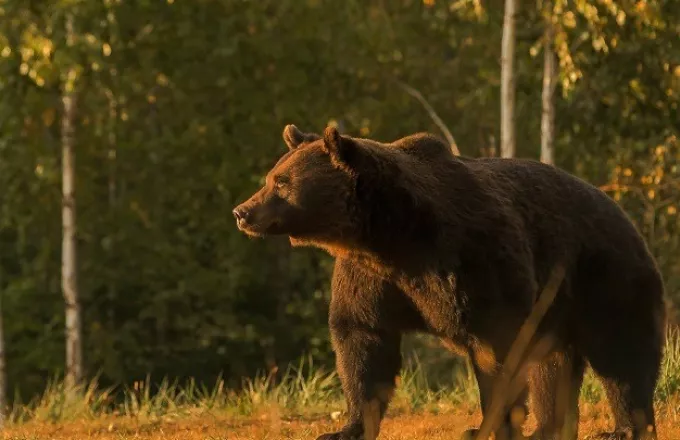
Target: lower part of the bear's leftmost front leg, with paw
point(368, 362)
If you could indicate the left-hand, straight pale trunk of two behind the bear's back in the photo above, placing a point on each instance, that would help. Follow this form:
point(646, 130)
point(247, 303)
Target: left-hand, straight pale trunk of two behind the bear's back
point(508, 81)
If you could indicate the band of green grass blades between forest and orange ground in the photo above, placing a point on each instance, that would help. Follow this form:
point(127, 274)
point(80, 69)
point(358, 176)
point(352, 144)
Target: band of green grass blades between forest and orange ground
point(303, 389)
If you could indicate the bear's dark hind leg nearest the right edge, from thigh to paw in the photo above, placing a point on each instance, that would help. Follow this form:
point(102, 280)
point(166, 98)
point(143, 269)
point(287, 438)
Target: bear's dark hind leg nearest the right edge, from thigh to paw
point(621, 332)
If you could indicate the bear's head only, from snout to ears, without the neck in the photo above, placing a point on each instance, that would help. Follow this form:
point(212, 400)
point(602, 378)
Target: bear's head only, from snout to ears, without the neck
point(305, 193)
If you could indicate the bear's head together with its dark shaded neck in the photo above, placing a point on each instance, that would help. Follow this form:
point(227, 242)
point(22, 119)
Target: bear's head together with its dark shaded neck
point(338, 193)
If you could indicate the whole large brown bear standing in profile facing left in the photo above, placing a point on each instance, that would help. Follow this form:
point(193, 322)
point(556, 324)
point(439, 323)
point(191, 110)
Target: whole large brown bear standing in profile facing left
point(461, 248)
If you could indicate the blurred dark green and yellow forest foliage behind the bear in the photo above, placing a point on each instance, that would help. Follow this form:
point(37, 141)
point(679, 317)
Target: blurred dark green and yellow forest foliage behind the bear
point(180, 110)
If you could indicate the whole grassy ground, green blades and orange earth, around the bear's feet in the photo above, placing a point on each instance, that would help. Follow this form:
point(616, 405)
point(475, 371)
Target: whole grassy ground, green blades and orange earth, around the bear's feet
point(304, 400)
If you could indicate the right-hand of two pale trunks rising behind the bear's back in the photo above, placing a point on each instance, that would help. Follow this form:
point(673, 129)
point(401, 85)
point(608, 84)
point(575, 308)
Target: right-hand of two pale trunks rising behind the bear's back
point(548, 95)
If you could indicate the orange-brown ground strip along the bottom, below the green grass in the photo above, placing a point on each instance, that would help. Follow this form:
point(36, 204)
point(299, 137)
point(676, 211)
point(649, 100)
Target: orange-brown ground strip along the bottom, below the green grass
point(446, 426)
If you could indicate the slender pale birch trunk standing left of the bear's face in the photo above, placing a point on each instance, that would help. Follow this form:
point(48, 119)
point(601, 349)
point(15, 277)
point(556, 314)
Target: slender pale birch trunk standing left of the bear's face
point(68, 250)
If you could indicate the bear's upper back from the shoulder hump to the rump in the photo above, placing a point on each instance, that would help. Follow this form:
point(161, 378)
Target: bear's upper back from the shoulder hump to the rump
point(556, 207)
